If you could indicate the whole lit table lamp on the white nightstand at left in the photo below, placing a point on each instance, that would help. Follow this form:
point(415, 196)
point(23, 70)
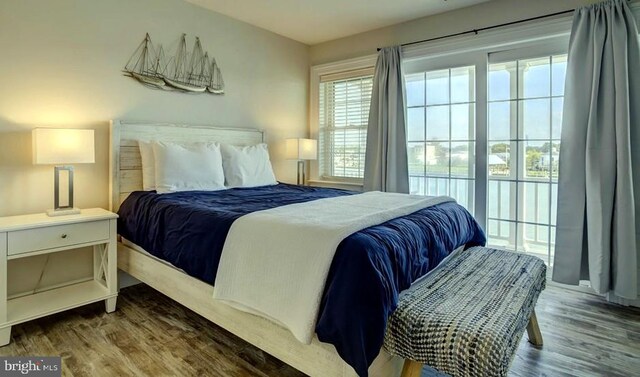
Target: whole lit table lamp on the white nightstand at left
point(61, 147)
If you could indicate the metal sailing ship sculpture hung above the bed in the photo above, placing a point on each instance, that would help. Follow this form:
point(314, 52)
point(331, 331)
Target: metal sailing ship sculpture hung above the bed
point(189, 72)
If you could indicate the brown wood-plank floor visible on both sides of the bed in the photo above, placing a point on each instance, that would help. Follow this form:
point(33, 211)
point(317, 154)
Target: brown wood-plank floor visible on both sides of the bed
point(151, 335)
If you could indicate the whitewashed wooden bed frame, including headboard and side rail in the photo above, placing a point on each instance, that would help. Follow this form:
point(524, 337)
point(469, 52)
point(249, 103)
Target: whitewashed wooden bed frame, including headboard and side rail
point(316, 359)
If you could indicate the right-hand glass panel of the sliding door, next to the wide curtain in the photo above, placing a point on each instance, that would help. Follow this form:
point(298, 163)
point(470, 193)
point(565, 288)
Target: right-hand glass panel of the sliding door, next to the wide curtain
point(525, 119)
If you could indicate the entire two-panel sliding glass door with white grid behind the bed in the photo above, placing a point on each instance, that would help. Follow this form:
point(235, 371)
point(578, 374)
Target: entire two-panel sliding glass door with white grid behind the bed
point(484, 128)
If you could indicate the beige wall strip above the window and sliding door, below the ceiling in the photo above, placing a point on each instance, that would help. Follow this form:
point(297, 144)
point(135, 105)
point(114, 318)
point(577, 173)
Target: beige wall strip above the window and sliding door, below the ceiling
point(475, 17)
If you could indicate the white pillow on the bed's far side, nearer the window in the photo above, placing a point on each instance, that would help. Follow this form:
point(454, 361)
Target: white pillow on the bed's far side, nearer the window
point(247, 166)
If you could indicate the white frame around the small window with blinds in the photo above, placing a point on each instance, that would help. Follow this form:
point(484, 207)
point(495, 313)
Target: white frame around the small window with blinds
point(341, 67)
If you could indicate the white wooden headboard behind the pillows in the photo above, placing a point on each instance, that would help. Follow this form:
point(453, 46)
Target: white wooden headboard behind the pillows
point(125, 165)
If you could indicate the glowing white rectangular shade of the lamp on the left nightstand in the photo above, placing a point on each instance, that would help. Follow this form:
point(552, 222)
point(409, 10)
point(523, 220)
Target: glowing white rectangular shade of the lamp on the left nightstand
point(63, 146)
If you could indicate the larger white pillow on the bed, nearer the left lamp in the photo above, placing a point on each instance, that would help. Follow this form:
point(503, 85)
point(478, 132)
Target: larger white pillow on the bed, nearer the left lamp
point(196, 166)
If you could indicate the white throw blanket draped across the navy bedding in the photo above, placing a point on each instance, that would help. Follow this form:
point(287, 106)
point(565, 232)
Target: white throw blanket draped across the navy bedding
point(275, 262)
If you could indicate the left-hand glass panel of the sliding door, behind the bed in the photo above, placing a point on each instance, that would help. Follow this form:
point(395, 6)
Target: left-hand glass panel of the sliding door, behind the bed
point(441, 133)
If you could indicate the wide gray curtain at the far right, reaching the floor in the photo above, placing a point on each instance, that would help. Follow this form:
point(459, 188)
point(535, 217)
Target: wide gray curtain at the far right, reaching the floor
point(599, 185)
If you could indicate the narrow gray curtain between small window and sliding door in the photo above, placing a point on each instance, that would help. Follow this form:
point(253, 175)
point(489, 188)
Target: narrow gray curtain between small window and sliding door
point(386, 167)
